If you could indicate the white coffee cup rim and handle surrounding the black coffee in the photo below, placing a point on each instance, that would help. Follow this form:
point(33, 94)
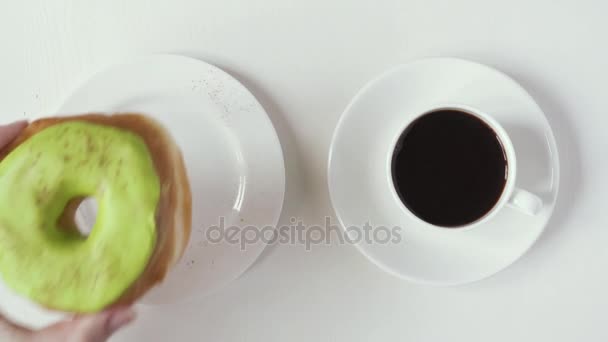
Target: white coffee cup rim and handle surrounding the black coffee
point(512, 196)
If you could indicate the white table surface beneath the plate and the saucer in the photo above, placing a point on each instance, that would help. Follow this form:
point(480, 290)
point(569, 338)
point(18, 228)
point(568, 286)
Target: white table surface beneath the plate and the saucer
point(304, 60)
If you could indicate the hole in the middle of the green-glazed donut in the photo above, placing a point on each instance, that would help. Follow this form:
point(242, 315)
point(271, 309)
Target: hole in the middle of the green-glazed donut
point(79, 216)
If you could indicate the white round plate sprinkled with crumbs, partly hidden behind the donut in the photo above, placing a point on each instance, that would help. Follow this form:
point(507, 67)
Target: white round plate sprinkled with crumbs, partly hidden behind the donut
point(232, 153)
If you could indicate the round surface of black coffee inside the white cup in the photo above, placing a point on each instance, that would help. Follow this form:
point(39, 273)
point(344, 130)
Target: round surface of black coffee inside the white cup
point(449, 168)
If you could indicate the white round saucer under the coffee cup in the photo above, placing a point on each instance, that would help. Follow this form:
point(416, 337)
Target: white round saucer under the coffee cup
point(360, 191)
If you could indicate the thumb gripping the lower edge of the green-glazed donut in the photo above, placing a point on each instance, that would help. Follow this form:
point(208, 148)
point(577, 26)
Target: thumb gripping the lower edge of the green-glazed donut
point(92, 328)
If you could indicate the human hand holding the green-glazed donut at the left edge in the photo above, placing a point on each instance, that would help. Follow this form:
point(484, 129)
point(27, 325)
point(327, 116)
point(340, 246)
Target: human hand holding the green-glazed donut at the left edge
point(90, 328)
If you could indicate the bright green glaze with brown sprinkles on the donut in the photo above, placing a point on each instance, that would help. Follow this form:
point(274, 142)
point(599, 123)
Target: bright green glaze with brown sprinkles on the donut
point(42, 257)
